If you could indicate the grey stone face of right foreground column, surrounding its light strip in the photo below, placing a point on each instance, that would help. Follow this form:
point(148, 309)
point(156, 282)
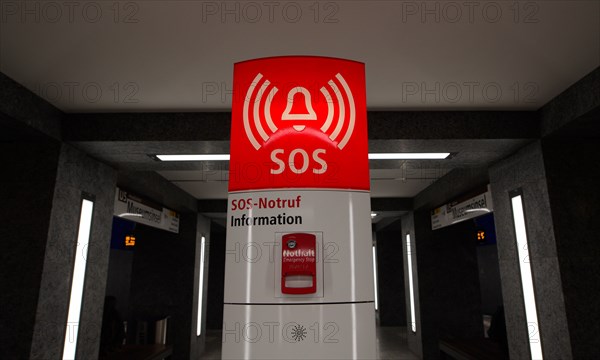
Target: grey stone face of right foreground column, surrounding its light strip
point(525, 170)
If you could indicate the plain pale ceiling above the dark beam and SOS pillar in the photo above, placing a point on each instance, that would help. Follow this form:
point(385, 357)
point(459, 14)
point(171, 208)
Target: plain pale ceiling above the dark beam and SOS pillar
point(179, 55)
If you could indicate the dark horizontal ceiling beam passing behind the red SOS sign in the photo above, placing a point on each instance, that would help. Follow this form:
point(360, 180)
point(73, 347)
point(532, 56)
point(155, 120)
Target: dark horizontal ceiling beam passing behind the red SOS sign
point(382, 125)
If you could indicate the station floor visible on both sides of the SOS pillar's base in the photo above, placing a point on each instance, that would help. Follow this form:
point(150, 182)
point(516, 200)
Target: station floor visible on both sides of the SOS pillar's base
point(391, 344)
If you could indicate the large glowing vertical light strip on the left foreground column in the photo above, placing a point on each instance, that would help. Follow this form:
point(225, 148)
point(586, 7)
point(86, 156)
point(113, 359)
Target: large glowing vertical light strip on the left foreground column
point(74, 314)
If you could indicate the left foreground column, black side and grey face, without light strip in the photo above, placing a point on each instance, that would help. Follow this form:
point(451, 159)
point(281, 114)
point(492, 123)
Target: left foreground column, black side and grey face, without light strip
point(43, 193)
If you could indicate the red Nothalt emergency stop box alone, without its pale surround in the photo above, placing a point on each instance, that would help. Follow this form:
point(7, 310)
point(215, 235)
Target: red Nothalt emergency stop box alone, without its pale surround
point(298, 264)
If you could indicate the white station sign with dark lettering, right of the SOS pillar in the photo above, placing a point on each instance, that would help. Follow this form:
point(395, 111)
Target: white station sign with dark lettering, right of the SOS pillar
point(455, 212)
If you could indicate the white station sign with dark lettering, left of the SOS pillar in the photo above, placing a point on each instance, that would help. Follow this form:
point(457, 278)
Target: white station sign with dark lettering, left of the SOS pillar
point(132, 207)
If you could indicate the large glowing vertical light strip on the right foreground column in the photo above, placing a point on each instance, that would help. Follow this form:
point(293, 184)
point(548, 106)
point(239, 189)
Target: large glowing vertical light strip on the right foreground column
point(535, 343)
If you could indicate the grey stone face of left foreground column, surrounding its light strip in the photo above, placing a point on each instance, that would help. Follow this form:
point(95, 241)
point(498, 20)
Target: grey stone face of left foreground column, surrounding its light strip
point(76, 173)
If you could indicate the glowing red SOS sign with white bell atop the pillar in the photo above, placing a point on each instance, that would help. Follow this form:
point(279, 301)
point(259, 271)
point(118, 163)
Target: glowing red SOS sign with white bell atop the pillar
point(299, 122)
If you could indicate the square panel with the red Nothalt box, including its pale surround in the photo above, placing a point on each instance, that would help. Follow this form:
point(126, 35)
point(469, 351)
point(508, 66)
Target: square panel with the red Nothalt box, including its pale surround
point(298, 264)
